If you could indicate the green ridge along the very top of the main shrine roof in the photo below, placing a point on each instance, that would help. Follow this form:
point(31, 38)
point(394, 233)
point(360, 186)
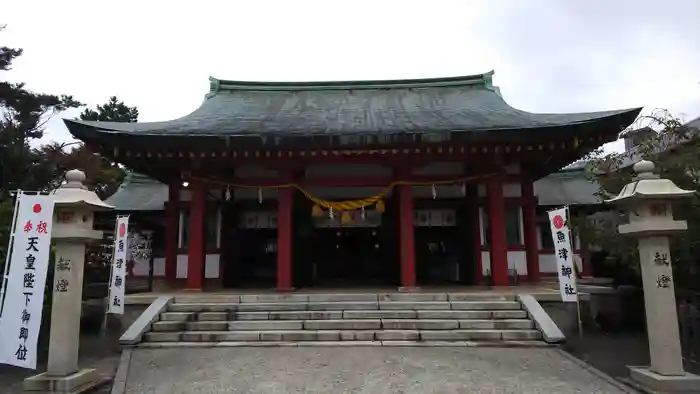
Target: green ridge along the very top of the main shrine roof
point(485, 79)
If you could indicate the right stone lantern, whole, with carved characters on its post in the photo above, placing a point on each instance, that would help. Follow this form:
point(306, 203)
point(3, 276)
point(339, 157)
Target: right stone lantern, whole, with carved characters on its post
point(647, 200)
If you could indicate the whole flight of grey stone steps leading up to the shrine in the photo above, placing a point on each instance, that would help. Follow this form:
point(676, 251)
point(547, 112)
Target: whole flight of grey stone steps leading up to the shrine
point(393, 319)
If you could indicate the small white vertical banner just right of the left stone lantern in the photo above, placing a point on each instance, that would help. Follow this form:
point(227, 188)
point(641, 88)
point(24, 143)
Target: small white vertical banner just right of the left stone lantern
point(117, 282)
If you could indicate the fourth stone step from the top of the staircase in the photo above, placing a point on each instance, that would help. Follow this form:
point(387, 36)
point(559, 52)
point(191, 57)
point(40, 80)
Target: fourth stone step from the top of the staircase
point(354, 324)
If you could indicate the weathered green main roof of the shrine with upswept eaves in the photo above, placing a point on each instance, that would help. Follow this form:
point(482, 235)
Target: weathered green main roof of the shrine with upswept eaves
point(270, 109)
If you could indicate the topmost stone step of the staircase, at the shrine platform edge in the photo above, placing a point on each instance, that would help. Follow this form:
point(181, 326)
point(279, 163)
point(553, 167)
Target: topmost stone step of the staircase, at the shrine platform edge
point(353, 297)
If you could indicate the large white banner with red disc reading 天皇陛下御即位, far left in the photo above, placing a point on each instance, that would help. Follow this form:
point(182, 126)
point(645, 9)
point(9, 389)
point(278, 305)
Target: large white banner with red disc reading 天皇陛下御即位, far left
point(24, 293)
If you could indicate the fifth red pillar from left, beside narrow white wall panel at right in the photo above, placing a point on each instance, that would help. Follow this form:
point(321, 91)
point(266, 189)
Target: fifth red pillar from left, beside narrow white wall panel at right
point(499, 248)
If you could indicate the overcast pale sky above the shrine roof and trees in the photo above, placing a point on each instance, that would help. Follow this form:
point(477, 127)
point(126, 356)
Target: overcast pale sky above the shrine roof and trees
point(549, 55)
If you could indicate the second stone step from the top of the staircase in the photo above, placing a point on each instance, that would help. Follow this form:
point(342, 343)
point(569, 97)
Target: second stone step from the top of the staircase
point(342, 306)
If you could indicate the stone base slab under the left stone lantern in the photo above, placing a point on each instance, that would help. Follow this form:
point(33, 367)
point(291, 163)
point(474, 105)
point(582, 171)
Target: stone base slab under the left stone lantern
point(79, 382)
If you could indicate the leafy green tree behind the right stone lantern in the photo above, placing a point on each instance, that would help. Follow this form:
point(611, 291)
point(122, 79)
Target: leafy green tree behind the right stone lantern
point(674, 147)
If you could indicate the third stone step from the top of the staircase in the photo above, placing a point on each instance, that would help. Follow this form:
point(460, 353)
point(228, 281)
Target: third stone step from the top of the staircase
point(335, 315)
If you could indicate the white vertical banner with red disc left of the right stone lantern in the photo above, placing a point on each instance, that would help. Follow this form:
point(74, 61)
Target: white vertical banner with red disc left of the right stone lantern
point(564, 253)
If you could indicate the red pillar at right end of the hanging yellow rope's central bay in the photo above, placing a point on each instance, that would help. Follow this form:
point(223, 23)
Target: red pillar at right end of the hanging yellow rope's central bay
point(406, 237)
